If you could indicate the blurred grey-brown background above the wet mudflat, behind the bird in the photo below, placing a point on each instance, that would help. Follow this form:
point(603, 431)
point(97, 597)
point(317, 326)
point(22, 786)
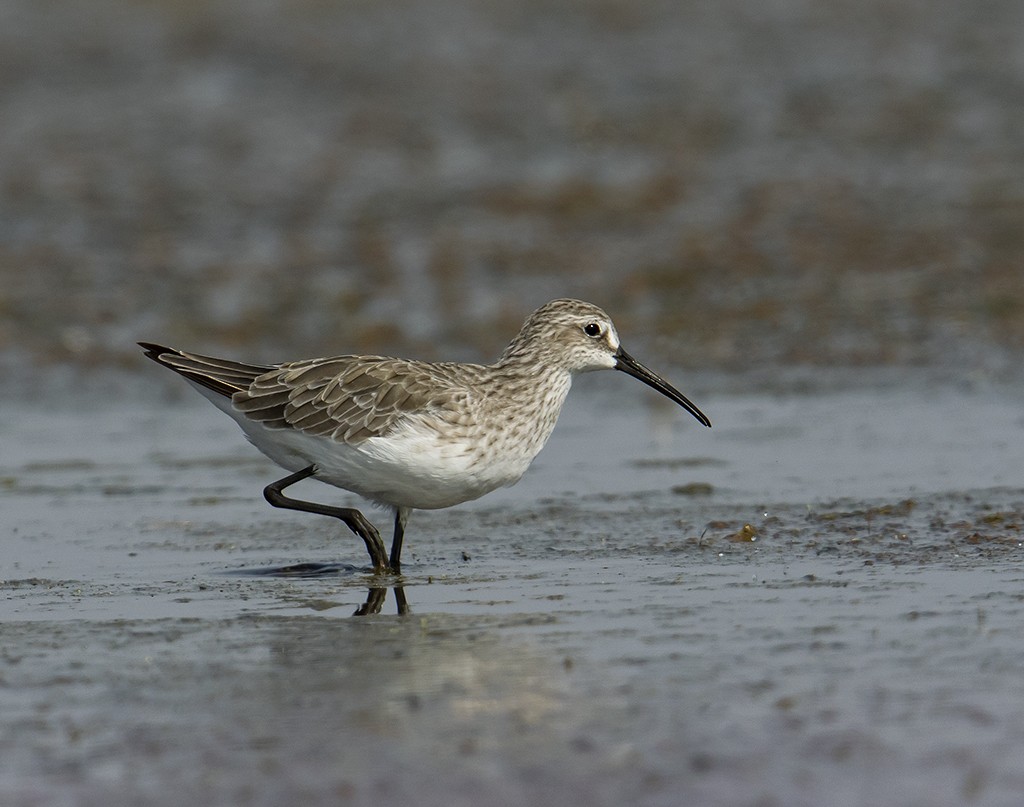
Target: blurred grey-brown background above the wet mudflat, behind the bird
point(745, 187)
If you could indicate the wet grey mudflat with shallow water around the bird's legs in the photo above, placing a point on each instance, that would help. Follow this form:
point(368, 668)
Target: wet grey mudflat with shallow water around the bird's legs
point(810, 604)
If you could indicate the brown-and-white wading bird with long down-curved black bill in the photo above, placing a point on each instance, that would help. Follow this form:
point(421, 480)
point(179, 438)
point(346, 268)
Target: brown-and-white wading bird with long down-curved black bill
point(413, 436)
